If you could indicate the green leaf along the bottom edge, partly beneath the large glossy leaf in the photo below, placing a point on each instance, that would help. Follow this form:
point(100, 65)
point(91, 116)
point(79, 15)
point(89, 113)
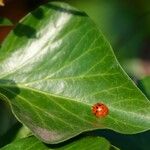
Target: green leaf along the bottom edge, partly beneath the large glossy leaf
point(88, 143)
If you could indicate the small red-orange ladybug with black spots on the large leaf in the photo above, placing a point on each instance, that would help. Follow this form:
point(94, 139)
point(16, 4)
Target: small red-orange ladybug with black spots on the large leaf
point(100, 110)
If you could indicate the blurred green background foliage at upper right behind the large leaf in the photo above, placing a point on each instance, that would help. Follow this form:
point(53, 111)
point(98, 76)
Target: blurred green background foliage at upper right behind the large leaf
point(124, 23)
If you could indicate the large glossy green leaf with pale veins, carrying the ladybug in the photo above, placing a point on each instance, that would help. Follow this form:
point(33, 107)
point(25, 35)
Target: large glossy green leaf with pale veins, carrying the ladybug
point(55, 66)
